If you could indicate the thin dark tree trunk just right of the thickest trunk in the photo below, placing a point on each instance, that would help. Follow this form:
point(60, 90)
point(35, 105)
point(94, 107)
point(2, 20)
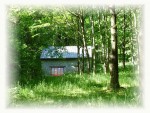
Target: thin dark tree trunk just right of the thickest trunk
point(124, 43)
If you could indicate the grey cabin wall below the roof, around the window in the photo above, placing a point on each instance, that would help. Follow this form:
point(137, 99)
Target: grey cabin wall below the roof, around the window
point(70, 66)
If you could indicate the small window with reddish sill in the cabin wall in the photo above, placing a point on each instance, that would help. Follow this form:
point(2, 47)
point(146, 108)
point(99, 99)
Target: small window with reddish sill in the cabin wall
point(57, 71)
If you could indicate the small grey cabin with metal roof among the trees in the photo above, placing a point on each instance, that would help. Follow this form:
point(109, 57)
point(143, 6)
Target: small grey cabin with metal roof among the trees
point(57, 61)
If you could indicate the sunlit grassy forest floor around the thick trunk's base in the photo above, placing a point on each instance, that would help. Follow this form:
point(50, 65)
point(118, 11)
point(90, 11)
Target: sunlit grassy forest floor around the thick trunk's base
point(75, 90)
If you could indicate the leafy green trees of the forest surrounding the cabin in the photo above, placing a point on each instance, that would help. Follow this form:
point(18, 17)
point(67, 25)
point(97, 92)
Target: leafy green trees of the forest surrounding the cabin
point(36, 28)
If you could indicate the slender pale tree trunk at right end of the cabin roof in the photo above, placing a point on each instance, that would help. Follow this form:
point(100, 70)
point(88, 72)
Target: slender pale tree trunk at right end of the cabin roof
point(93, 44)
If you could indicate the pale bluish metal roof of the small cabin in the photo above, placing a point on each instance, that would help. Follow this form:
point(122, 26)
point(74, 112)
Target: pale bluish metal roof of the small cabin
point(53, 52)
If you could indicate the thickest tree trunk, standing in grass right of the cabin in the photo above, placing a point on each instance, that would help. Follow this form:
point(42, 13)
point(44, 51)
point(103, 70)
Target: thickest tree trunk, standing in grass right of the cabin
point(113, 65)
